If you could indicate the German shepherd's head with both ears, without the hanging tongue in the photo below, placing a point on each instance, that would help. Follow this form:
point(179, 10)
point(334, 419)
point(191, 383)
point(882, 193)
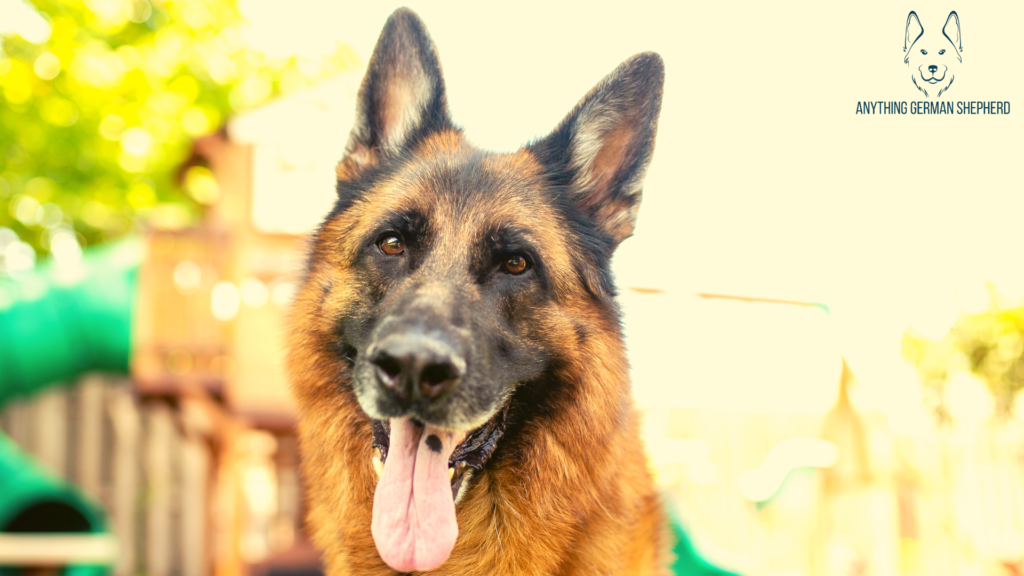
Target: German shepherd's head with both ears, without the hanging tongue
point(454, 259)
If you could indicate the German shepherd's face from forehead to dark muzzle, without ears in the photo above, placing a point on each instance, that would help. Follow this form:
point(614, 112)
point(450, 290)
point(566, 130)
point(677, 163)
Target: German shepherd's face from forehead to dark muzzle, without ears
point(448, 297)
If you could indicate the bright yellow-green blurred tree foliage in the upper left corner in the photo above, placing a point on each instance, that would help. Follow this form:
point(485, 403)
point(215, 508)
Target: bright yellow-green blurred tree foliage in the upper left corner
point(97, 119)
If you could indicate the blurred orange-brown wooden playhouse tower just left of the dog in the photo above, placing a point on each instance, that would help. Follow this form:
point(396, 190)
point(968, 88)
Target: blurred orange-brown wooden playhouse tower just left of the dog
point(210, 331)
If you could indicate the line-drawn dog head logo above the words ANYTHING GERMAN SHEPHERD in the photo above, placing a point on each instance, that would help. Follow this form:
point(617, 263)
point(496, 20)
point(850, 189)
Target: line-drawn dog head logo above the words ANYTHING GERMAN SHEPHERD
point(933, 56)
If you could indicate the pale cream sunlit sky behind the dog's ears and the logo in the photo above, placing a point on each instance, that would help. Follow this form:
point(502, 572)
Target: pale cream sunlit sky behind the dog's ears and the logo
point(764, 183)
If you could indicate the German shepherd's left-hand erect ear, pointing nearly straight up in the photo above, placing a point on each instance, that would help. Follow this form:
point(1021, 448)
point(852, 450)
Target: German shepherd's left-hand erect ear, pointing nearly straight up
point(403, 95)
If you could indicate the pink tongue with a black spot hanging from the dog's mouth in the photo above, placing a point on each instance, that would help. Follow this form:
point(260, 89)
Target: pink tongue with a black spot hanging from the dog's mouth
point(414, 524)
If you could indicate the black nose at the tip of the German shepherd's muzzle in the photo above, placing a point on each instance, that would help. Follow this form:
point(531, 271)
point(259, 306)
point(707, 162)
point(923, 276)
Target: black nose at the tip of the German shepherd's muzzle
point(417, 367)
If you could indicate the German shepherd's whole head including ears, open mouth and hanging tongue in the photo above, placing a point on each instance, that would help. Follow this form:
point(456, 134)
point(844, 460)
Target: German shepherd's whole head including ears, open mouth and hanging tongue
point(447, 278)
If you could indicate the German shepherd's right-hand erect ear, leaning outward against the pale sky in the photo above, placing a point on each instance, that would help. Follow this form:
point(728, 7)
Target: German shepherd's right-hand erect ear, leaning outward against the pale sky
point(602, 150)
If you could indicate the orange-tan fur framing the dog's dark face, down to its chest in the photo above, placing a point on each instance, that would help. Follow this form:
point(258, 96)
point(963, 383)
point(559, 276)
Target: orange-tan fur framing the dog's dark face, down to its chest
point(572, 498)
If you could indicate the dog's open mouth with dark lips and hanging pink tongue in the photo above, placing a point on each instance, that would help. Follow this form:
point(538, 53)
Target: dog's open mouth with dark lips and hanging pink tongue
point(414, 521)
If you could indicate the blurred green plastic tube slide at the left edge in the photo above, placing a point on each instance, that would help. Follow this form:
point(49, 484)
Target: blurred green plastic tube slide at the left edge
point(57, 323)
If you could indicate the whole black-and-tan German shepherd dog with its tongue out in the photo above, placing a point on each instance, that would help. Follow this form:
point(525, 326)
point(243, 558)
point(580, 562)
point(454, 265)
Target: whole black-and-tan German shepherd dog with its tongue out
point(456, 348)
